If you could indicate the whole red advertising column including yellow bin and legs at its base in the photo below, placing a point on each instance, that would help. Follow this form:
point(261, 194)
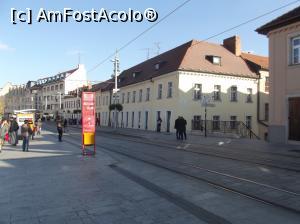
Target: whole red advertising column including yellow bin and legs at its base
point(88, 121)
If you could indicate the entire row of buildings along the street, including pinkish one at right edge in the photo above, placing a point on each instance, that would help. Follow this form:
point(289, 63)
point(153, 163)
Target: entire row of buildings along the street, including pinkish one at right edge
point(245, 93)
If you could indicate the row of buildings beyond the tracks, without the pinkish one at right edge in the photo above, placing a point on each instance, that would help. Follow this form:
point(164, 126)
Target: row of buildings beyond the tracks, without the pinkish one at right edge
point(169, 85)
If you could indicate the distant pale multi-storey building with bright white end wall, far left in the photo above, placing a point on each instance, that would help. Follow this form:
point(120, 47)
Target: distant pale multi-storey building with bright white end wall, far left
point(45, 95)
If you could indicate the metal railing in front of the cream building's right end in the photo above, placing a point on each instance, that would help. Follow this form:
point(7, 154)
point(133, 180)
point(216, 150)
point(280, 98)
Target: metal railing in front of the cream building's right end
point(226, 127)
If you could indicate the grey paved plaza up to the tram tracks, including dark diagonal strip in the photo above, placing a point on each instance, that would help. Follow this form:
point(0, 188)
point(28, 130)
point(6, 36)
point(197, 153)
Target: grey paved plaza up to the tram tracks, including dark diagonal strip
point(54, 183)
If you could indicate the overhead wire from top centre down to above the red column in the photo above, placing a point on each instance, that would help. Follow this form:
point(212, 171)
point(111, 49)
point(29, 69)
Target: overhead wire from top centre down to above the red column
point(139, 35)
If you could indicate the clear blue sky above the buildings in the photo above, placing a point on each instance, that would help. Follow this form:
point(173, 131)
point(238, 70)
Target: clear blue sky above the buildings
point(29, 52)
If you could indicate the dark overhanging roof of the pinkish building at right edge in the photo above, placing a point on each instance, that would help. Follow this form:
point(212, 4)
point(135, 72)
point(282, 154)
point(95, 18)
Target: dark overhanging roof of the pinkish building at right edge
point(288, 18)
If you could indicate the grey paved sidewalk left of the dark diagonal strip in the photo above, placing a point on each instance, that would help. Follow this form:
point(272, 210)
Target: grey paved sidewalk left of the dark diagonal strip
point(54, 183)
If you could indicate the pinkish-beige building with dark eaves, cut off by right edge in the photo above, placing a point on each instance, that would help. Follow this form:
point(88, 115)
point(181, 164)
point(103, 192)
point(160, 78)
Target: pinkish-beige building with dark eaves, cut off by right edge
point(284, 53)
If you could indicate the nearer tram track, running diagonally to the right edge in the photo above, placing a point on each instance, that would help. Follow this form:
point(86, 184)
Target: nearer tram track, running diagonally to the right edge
point(185, 169)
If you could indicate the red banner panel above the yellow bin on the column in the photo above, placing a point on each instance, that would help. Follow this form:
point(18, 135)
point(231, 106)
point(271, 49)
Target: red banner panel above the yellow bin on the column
point(88, 112)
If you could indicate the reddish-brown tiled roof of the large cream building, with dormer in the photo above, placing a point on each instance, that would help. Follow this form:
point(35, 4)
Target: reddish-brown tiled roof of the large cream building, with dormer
point(191, 56)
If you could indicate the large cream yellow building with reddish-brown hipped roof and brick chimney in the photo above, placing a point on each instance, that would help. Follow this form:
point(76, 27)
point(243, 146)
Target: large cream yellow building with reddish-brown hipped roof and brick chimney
point(177, 82)
